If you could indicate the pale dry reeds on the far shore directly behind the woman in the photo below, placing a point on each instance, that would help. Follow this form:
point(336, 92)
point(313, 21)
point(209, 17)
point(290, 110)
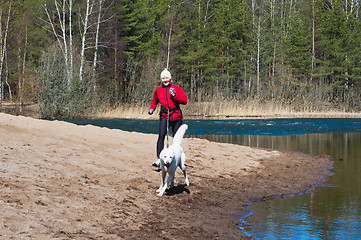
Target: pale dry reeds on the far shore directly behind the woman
point(227, 109)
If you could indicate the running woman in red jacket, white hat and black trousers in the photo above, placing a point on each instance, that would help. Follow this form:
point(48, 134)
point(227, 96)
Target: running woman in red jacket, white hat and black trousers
point(169, 96)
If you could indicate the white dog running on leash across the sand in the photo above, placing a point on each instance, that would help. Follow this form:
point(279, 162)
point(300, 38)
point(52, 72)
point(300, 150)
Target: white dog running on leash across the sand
point(171, 158)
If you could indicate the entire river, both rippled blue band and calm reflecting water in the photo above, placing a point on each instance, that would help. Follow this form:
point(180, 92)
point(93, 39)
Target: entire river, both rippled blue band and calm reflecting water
point(330, 211)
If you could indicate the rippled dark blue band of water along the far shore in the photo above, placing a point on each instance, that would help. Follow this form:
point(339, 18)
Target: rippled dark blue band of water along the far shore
point(275, 127)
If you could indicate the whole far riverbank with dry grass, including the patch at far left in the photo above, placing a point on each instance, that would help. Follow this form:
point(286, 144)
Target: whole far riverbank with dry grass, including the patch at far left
point(226, 110)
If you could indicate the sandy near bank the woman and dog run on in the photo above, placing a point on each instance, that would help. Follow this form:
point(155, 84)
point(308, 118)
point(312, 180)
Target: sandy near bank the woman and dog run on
point(60, 180)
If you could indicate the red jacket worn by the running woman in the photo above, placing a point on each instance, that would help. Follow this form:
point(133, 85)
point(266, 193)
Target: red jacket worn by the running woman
point(162, 96)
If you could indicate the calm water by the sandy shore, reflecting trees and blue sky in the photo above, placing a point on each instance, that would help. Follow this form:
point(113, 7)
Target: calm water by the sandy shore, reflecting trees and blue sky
point(330, 211)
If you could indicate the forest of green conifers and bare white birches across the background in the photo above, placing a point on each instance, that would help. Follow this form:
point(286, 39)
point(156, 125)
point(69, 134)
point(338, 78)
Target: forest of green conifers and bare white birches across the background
point(74, 57)
